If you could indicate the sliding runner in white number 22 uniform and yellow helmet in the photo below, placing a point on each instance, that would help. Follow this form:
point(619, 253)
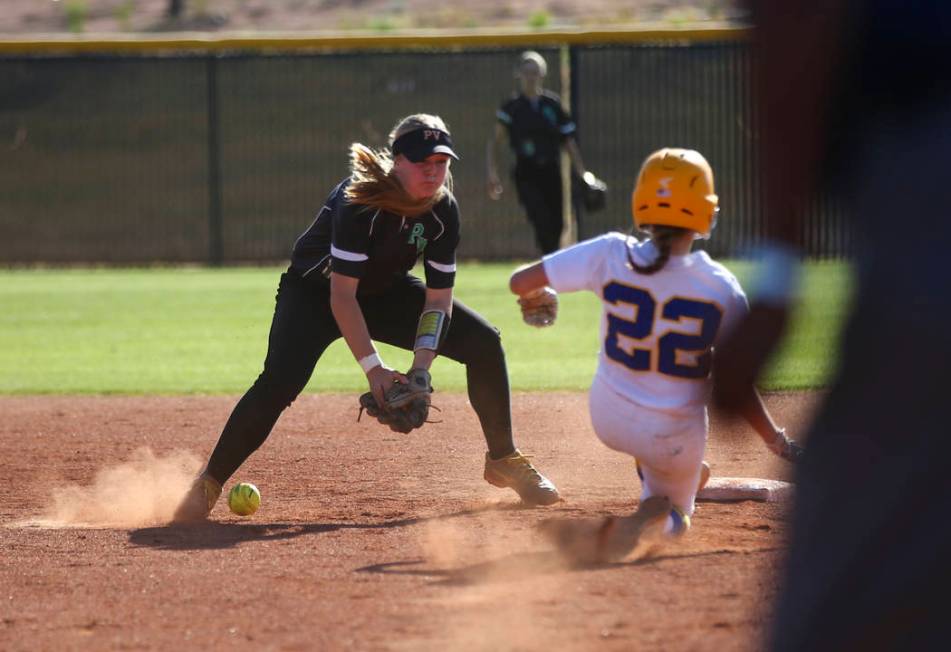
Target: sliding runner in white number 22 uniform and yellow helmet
point(664, 309)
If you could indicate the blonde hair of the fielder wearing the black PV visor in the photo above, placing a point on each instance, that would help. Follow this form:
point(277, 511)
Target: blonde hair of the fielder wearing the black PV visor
point(372, 182)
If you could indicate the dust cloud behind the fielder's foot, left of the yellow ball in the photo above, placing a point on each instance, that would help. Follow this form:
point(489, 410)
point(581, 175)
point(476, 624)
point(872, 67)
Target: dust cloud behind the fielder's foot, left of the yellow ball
point(145, 490)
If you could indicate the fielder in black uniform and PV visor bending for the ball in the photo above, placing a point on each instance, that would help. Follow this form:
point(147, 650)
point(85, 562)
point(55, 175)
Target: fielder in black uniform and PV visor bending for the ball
point(349, 276)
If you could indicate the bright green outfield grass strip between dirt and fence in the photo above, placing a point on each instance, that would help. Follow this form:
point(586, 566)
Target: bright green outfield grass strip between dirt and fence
point(187, 331)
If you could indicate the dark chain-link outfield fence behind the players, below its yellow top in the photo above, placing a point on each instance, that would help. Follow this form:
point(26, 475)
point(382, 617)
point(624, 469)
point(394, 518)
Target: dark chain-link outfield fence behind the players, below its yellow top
point(223, 156)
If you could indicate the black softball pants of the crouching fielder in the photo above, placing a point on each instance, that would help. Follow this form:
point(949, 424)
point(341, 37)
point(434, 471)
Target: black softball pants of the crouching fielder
point(304, 326)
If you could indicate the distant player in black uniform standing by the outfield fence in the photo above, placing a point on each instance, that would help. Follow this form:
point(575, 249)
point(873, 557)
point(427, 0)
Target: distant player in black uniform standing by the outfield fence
point(537, 128)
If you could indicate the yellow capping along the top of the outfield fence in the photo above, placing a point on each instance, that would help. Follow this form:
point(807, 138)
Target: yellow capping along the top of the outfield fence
point(422, 39)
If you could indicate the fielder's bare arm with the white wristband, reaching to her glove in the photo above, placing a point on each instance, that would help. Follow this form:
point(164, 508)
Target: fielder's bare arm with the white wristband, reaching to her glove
point(353, 327)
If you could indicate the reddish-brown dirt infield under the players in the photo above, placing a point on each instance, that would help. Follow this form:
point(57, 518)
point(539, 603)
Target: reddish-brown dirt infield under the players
point(365, 540)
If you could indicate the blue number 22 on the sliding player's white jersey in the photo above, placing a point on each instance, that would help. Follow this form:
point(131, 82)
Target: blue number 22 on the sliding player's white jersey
point(674, 310)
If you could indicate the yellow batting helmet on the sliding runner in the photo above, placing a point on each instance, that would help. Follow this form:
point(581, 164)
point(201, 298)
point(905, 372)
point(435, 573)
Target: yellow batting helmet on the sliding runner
point(675, 188)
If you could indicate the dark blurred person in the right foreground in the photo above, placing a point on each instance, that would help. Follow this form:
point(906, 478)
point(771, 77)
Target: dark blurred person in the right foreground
point(855, 97)
